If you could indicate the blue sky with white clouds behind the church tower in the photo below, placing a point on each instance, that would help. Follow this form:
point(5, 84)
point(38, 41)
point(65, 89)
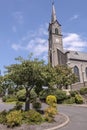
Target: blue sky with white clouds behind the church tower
point(24, 27)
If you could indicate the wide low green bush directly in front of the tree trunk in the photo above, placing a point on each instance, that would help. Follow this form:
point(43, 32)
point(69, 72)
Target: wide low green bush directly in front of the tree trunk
point(32, 117)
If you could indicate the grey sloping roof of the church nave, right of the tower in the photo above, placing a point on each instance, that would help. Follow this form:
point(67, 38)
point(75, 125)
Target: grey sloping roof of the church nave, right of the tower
point(76, 55)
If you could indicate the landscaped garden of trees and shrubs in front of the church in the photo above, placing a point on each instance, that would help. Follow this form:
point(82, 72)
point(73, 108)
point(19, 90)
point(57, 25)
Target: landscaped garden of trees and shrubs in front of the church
point(28, 84)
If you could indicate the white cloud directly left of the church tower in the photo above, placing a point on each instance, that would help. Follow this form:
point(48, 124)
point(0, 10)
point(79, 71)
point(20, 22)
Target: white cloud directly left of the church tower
point(35, 42)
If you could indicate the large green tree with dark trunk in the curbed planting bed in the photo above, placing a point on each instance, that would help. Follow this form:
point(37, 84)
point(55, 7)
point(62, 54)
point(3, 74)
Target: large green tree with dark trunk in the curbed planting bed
point(27, 73)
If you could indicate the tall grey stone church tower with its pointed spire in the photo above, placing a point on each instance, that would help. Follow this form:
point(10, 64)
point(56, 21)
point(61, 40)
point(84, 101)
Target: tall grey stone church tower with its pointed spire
point(55, 39)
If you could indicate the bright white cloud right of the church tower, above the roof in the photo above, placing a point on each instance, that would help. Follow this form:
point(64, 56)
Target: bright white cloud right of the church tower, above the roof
point(73, 41)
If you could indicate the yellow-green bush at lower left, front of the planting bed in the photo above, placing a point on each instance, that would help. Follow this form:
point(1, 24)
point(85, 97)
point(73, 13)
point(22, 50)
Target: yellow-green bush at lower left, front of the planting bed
point(14, 118)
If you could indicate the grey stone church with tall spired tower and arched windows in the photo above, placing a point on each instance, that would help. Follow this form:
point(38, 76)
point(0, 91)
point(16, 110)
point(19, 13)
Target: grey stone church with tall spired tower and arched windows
point(58, 56)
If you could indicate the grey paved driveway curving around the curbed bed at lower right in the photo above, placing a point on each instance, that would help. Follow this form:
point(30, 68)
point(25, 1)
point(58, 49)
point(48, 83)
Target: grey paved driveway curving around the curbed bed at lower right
point(77, 115)
